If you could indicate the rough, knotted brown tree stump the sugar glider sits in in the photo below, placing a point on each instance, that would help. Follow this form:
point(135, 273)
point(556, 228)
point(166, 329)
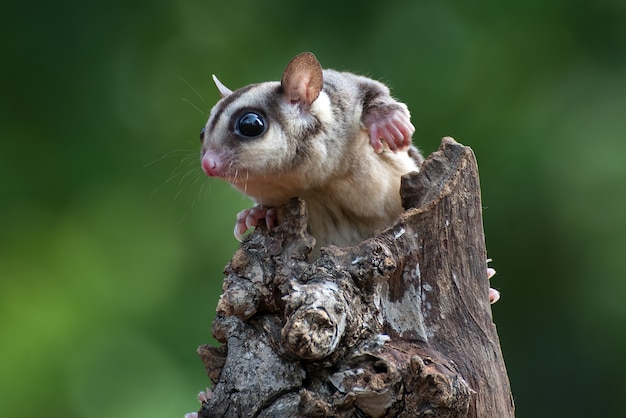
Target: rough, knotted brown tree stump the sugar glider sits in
point(398, 326)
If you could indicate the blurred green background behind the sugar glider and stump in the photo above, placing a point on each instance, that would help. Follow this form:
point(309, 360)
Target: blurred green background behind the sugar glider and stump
point(113, 242)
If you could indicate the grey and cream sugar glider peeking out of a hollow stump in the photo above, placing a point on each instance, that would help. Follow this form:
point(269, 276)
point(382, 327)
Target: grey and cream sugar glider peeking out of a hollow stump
point(335, 139)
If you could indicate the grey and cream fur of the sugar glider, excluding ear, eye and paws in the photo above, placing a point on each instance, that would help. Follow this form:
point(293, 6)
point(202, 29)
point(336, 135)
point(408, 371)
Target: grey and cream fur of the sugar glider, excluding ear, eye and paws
point(321, 154)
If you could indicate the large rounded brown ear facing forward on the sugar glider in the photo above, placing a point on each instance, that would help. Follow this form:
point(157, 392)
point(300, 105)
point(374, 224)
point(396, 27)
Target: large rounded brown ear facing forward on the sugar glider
point(302, 80)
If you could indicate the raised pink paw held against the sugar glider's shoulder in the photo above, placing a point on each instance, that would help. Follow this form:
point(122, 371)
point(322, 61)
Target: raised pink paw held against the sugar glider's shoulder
point(390, 124)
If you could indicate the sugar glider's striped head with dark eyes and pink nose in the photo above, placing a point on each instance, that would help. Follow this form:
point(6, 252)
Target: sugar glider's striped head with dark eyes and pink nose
point(263, 130)
